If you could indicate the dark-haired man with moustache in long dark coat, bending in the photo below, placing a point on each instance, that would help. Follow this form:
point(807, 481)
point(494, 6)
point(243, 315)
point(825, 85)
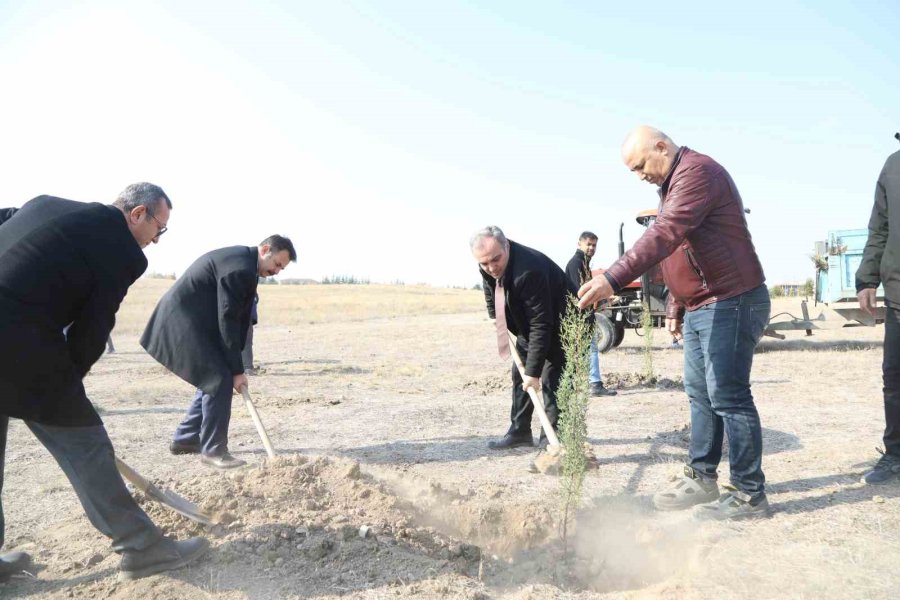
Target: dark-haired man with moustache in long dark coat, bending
point(198, 330)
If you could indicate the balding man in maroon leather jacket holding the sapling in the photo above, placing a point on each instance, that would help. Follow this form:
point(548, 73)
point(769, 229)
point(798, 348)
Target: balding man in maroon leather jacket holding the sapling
point(718, 296)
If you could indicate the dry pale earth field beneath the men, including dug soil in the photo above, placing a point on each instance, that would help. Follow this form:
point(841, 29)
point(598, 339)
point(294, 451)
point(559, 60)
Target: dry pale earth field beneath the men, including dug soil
point(381, 401)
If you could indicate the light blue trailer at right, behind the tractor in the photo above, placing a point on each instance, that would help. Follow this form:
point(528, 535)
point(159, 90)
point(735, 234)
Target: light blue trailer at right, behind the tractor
point(837, 259)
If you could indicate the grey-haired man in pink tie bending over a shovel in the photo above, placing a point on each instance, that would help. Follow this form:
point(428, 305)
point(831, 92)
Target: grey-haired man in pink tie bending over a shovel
point(526, 294)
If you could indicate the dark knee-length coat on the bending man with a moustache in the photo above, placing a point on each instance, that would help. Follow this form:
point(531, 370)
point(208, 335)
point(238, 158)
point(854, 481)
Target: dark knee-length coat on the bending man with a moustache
point(199, 327)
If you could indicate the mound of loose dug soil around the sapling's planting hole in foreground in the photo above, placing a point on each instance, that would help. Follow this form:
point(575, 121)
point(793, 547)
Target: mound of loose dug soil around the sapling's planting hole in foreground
point(322, 525)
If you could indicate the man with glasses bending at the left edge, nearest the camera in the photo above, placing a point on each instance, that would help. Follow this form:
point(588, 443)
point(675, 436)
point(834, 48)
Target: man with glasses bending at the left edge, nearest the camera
point(66, 263)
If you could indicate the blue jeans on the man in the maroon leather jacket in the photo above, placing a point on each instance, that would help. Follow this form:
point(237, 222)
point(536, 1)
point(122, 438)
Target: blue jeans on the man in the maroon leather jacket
point(719, 340)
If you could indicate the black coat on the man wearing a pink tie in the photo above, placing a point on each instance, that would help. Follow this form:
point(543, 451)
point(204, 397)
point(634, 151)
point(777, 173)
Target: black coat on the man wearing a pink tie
point(536, 292)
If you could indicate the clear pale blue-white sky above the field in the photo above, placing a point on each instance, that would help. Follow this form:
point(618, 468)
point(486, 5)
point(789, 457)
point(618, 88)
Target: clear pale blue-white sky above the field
point(380, 135)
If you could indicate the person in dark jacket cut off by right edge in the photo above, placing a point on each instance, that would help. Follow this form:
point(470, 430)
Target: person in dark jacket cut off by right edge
point(881, 265)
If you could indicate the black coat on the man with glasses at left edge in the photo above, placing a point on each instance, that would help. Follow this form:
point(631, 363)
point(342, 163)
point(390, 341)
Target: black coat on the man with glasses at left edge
point(61, 262)
